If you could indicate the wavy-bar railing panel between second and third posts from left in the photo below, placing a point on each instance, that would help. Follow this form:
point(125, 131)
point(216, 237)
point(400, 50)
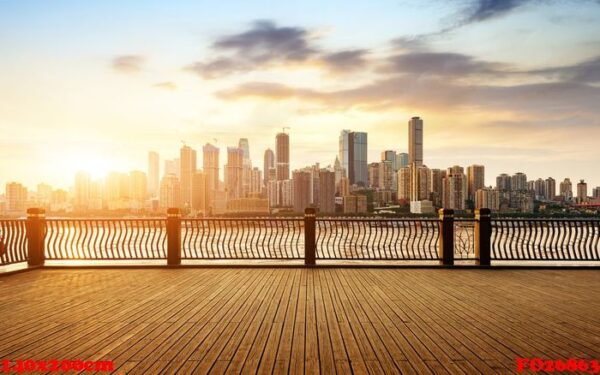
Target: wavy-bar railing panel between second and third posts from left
point(230, 238)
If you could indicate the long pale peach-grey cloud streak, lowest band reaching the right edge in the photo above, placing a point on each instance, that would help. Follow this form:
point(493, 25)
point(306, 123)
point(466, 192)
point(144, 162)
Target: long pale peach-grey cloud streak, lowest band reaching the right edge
point(541, 99)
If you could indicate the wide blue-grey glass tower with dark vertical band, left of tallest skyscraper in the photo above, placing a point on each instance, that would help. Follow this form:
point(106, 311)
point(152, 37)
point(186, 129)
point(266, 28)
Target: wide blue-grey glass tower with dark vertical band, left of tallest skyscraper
point(353, 148)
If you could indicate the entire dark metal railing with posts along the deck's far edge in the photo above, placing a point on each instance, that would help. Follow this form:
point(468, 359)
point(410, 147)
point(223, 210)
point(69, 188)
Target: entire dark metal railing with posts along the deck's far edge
point(173, 238)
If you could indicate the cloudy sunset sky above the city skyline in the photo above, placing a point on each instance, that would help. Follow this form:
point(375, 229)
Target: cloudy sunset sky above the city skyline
point(95, 85)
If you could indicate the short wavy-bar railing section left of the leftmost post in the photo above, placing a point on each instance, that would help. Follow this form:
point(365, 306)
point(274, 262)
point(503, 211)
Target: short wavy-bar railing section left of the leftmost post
point(13, 242)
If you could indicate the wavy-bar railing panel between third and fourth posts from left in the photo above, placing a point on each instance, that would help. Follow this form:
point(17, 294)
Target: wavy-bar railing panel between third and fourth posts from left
point(377, 239)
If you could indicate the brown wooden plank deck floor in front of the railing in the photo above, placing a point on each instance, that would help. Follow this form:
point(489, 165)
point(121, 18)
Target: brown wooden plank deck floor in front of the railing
point(295, 320)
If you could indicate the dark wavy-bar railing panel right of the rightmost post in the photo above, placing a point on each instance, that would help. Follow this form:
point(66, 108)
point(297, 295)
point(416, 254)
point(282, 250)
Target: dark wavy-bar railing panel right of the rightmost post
point(546, 239)
